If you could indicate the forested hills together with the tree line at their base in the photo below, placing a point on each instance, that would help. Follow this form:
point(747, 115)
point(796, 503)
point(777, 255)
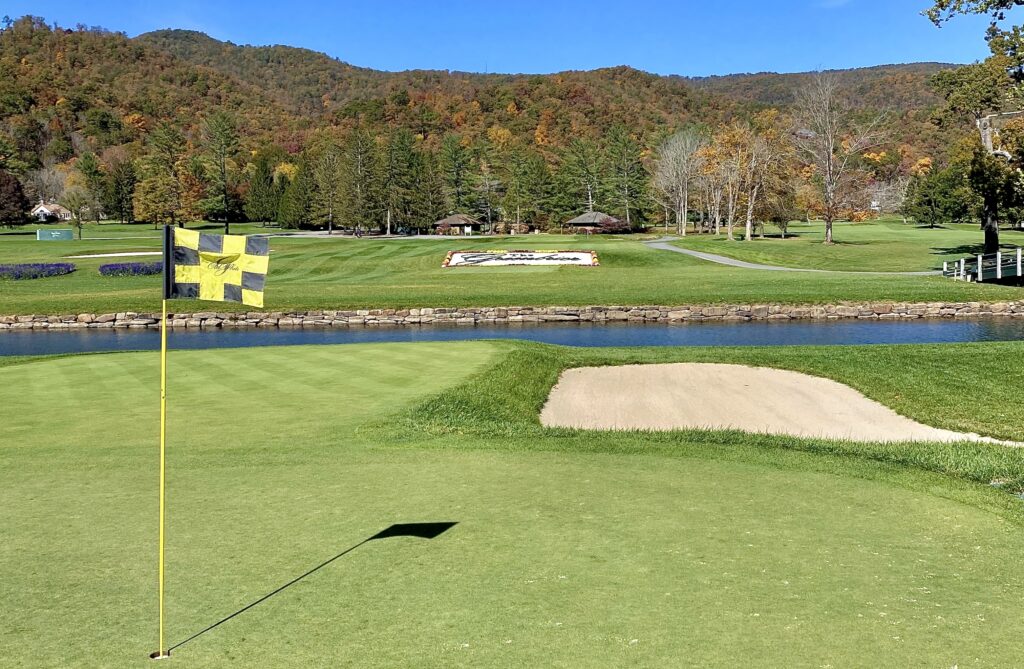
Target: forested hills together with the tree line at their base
point(175, 126)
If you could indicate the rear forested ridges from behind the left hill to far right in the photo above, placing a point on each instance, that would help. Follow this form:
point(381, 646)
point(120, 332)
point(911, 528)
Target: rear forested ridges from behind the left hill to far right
point(563, 105)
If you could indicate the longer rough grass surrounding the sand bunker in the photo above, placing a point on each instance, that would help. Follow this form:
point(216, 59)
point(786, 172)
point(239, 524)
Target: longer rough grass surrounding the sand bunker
point(962, 388)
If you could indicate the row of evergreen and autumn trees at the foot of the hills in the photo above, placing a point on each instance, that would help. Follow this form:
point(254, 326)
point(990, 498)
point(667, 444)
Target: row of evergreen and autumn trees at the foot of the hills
point(770, 168)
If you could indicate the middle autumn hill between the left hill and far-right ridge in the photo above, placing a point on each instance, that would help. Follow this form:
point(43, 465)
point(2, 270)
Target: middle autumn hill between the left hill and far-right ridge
point(564, 105)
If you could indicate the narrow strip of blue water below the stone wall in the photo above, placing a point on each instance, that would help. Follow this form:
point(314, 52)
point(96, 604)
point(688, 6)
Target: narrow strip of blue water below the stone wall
point(572, 334)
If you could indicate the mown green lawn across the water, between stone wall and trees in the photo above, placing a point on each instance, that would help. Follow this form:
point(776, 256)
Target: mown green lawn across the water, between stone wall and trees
point(312, 274)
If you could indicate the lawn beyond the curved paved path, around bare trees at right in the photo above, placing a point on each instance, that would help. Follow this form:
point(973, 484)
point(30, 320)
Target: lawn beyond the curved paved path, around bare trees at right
point(872, 246)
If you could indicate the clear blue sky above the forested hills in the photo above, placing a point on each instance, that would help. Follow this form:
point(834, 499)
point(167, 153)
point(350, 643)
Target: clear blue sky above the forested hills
point(685, 37)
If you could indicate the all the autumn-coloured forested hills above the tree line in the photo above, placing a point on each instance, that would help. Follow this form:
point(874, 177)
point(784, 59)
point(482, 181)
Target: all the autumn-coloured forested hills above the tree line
point(65, 92)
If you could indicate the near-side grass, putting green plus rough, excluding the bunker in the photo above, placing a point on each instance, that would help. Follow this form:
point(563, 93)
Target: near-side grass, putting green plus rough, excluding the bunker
point(571, 550)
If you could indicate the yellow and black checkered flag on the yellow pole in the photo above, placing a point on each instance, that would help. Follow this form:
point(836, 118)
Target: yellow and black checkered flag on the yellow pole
point(221, 268)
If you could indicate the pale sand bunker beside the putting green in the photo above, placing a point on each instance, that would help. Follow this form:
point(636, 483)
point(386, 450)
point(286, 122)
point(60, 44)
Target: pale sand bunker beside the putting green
point(728, 397)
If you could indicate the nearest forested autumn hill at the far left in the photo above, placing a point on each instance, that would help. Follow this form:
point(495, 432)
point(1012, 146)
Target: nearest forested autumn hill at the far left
point(63, 92)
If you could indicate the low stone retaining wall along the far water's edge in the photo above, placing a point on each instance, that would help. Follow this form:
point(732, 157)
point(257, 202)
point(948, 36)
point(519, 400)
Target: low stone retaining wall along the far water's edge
point(514, 315)
